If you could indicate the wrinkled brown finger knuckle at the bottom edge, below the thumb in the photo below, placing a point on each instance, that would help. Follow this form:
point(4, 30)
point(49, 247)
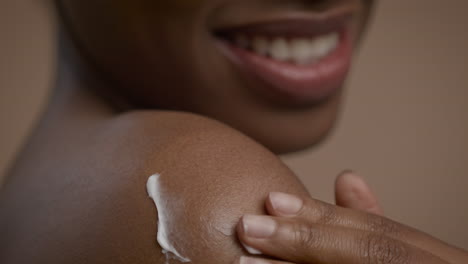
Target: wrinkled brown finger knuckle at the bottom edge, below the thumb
point(380, 249)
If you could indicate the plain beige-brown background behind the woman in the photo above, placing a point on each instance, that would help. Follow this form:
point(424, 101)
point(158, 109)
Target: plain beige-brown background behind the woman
point(404, 128)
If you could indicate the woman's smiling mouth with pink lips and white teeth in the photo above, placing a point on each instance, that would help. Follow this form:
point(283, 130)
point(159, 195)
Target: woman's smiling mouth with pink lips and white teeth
point(300, 60)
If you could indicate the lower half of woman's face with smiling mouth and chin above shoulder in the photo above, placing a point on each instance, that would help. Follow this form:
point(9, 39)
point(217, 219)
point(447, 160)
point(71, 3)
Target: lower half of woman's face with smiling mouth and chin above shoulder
point(273, 69)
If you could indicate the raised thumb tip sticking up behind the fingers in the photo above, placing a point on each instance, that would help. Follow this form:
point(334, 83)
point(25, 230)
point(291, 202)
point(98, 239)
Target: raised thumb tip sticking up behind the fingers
point(351, 191)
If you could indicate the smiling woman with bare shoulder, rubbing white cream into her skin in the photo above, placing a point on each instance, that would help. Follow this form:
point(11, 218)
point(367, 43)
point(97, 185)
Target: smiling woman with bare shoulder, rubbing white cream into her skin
point(272, 70)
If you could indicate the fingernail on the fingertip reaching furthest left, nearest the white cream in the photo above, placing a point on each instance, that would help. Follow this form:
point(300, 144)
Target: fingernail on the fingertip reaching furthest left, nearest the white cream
point(258, 226)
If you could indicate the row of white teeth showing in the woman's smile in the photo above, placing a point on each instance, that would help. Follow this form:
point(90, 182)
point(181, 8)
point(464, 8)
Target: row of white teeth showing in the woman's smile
point(300, 51)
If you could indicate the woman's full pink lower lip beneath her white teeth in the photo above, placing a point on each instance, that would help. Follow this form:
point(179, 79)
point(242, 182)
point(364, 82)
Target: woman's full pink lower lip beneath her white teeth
point(296, 83)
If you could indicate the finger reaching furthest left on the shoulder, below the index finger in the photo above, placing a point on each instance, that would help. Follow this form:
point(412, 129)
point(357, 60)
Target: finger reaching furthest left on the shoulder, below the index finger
point(299, 241)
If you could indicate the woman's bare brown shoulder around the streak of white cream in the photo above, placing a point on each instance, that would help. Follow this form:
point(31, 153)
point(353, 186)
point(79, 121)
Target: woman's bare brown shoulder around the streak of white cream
point(95, 208)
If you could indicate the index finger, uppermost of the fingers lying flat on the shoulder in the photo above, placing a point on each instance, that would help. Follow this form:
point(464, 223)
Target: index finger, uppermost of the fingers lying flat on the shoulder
point(320, 213)
